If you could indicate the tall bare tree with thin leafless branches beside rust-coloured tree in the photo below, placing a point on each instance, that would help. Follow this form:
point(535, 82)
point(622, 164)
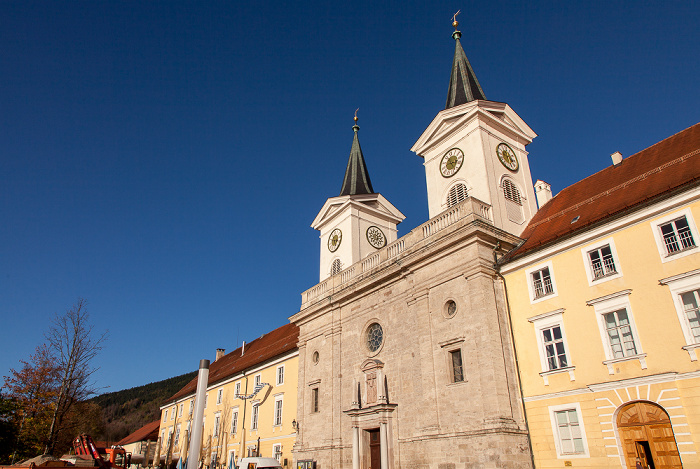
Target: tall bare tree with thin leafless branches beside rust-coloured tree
point(74, 343)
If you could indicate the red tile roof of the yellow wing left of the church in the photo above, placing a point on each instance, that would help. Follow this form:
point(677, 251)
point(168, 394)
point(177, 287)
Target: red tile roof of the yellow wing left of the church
point(274, 343)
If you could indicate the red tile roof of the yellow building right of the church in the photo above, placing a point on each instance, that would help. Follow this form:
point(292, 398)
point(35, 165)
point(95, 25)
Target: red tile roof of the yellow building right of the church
point(661, 169)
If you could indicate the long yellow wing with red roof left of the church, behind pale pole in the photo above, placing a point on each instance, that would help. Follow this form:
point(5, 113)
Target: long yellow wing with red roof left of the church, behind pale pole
point(250, 405)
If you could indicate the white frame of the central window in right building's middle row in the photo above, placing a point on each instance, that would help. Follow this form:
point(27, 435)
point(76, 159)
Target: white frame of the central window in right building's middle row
point(608, 304)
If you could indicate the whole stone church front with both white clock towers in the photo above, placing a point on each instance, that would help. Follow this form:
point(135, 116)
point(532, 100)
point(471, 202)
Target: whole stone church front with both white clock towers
point(405, 350)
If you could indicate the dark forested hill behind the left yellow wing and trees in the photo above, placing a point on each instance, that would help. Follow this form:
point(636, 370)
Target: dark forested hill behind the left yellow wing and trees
point(128, 410)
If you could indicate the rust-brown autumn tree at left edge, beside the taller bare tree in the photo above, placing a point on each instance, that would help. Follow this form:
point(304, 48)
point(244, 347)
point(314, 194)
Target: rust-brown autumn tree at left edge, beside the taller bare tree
point(32, 391)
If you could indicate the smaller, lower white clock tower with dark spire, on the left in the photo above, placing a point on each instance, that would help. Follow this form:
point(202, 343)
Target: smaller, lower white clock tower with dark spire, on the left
point(356, 223)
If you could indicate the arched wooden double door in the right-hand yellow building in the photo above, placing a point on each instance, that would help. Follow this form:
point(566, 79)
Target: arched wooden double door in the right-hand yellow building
point(646, 434)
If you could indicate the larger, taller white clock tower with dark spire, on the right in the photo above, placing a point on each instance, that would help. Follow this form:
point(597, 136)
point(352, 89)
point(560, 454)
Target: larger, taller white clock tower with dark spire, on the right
point(476, 148)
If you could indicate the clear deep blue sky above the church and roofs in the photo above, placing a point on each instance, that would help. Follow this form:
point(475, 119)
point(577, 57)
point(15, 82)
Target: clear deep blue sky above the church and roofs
point(163, 160)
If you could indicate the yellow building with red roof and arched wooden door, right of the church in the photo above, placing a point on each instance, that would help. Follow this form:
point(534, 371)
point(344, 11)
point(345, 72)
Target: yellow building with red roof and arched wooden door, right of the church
point(604, 295)
